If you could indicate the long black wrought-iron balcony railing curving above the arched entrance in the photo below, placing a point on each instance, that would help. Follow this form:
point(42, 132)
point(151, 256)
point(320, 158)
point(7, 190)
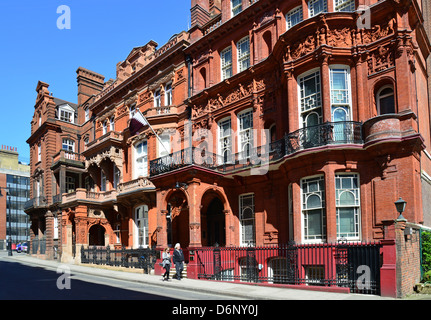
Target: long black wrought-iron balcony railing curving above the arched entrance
point(329, 133)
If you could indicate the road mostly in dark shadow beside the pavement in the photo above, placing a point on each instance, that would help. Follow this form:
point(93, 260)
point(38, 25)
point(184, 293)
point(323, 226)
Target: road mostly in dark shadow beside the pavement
point(22, 282)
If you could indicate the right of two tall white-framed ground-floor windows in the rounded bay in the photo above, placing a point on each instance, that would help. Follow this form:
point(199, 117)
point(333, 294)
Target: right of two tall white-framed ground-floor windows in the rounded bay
point(340, 178)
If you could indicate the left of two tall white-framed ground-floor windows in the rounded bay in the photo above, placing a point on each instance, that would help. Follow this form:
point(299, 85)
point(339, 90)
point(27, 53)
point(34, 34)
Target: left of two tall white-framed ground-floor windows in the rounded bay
point(306, 193)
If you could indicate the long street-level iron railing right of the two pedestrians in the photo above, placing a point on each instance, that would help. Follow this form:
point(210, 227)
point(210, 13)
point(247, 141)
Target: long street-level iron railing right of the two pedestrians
point(352, 265)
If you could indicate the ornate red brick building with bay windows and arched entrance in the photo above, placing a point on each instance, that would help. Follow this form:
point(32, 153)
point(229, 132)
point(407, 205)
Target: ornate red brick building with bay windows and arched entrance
point(270, 121)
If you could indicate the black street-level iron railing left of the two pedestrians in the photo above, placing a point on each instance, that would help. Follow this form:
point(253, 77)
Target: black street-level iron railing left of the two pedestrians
point(141, 258)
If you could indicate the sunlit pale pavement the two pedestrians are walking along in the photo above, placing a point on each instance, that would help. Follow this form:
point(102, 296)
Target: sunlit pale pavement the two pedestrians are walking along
point(228, 289)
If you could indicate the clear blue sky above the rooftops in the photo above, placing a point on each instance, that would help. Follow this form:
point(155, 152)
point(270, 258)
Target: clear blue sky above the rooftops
point(102, 33)
